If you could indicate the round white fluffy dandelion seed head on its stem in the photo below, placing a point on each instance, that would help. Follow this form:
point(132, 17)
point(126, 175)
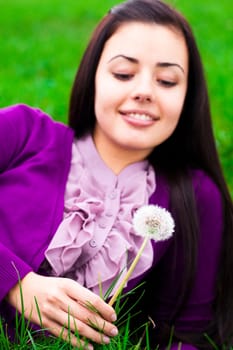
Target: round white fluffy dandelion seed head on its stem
point(154, 222)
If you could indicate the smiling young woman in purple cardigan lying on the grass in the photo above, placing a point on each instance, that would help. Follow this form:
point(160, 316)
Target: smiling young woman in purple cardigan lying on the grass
point(139, 132)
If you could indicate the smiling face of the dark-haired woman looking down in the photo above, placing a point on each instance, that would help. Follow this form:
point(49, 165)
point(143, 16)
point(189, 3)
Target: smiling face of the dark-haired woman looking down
point(140, 87)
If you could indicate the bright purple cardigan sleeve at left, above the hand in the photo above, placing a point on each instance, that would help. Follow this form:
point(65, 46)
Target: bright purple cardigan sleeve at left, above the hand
point(34, 163)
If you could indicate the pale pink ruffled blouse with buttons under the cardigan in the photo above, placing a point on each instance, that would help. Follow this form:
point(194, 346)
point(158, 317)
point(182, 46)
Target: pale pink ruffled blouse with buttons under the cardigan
point(96, 241)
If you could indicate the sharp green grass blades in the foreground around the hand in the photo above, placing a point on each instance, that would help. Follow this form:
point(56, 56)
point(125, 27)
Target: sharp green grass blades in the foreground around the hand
point(128, 339)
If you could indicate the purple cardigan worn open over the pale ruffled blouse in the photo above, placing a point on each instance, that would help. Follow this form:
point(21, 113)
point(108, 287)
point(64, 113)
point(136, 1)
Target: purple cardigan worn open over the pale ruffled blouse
point(34, 165)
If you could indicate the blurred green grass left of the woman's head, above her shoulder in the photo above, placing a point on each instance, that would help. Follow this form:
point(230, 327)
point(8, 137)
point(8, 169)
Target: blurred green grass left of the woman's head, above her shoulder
point(41, 45)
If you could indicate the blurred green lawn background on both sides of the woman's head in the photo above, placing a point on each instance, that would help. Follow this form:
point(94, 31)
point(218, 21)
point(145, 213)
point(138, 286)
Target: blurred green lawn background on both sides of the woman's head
point(41, 43)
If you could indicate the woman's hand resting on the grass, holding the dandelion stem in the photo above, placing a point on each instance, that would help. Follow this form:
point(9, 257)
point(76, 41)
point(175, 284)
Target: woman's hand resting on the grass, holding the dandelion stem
point(63, 304)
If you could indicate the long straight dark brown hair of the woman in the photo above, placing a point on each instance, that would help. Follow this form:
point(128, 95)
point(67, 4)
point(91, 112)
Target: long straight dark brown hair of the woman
point(192, 145)
